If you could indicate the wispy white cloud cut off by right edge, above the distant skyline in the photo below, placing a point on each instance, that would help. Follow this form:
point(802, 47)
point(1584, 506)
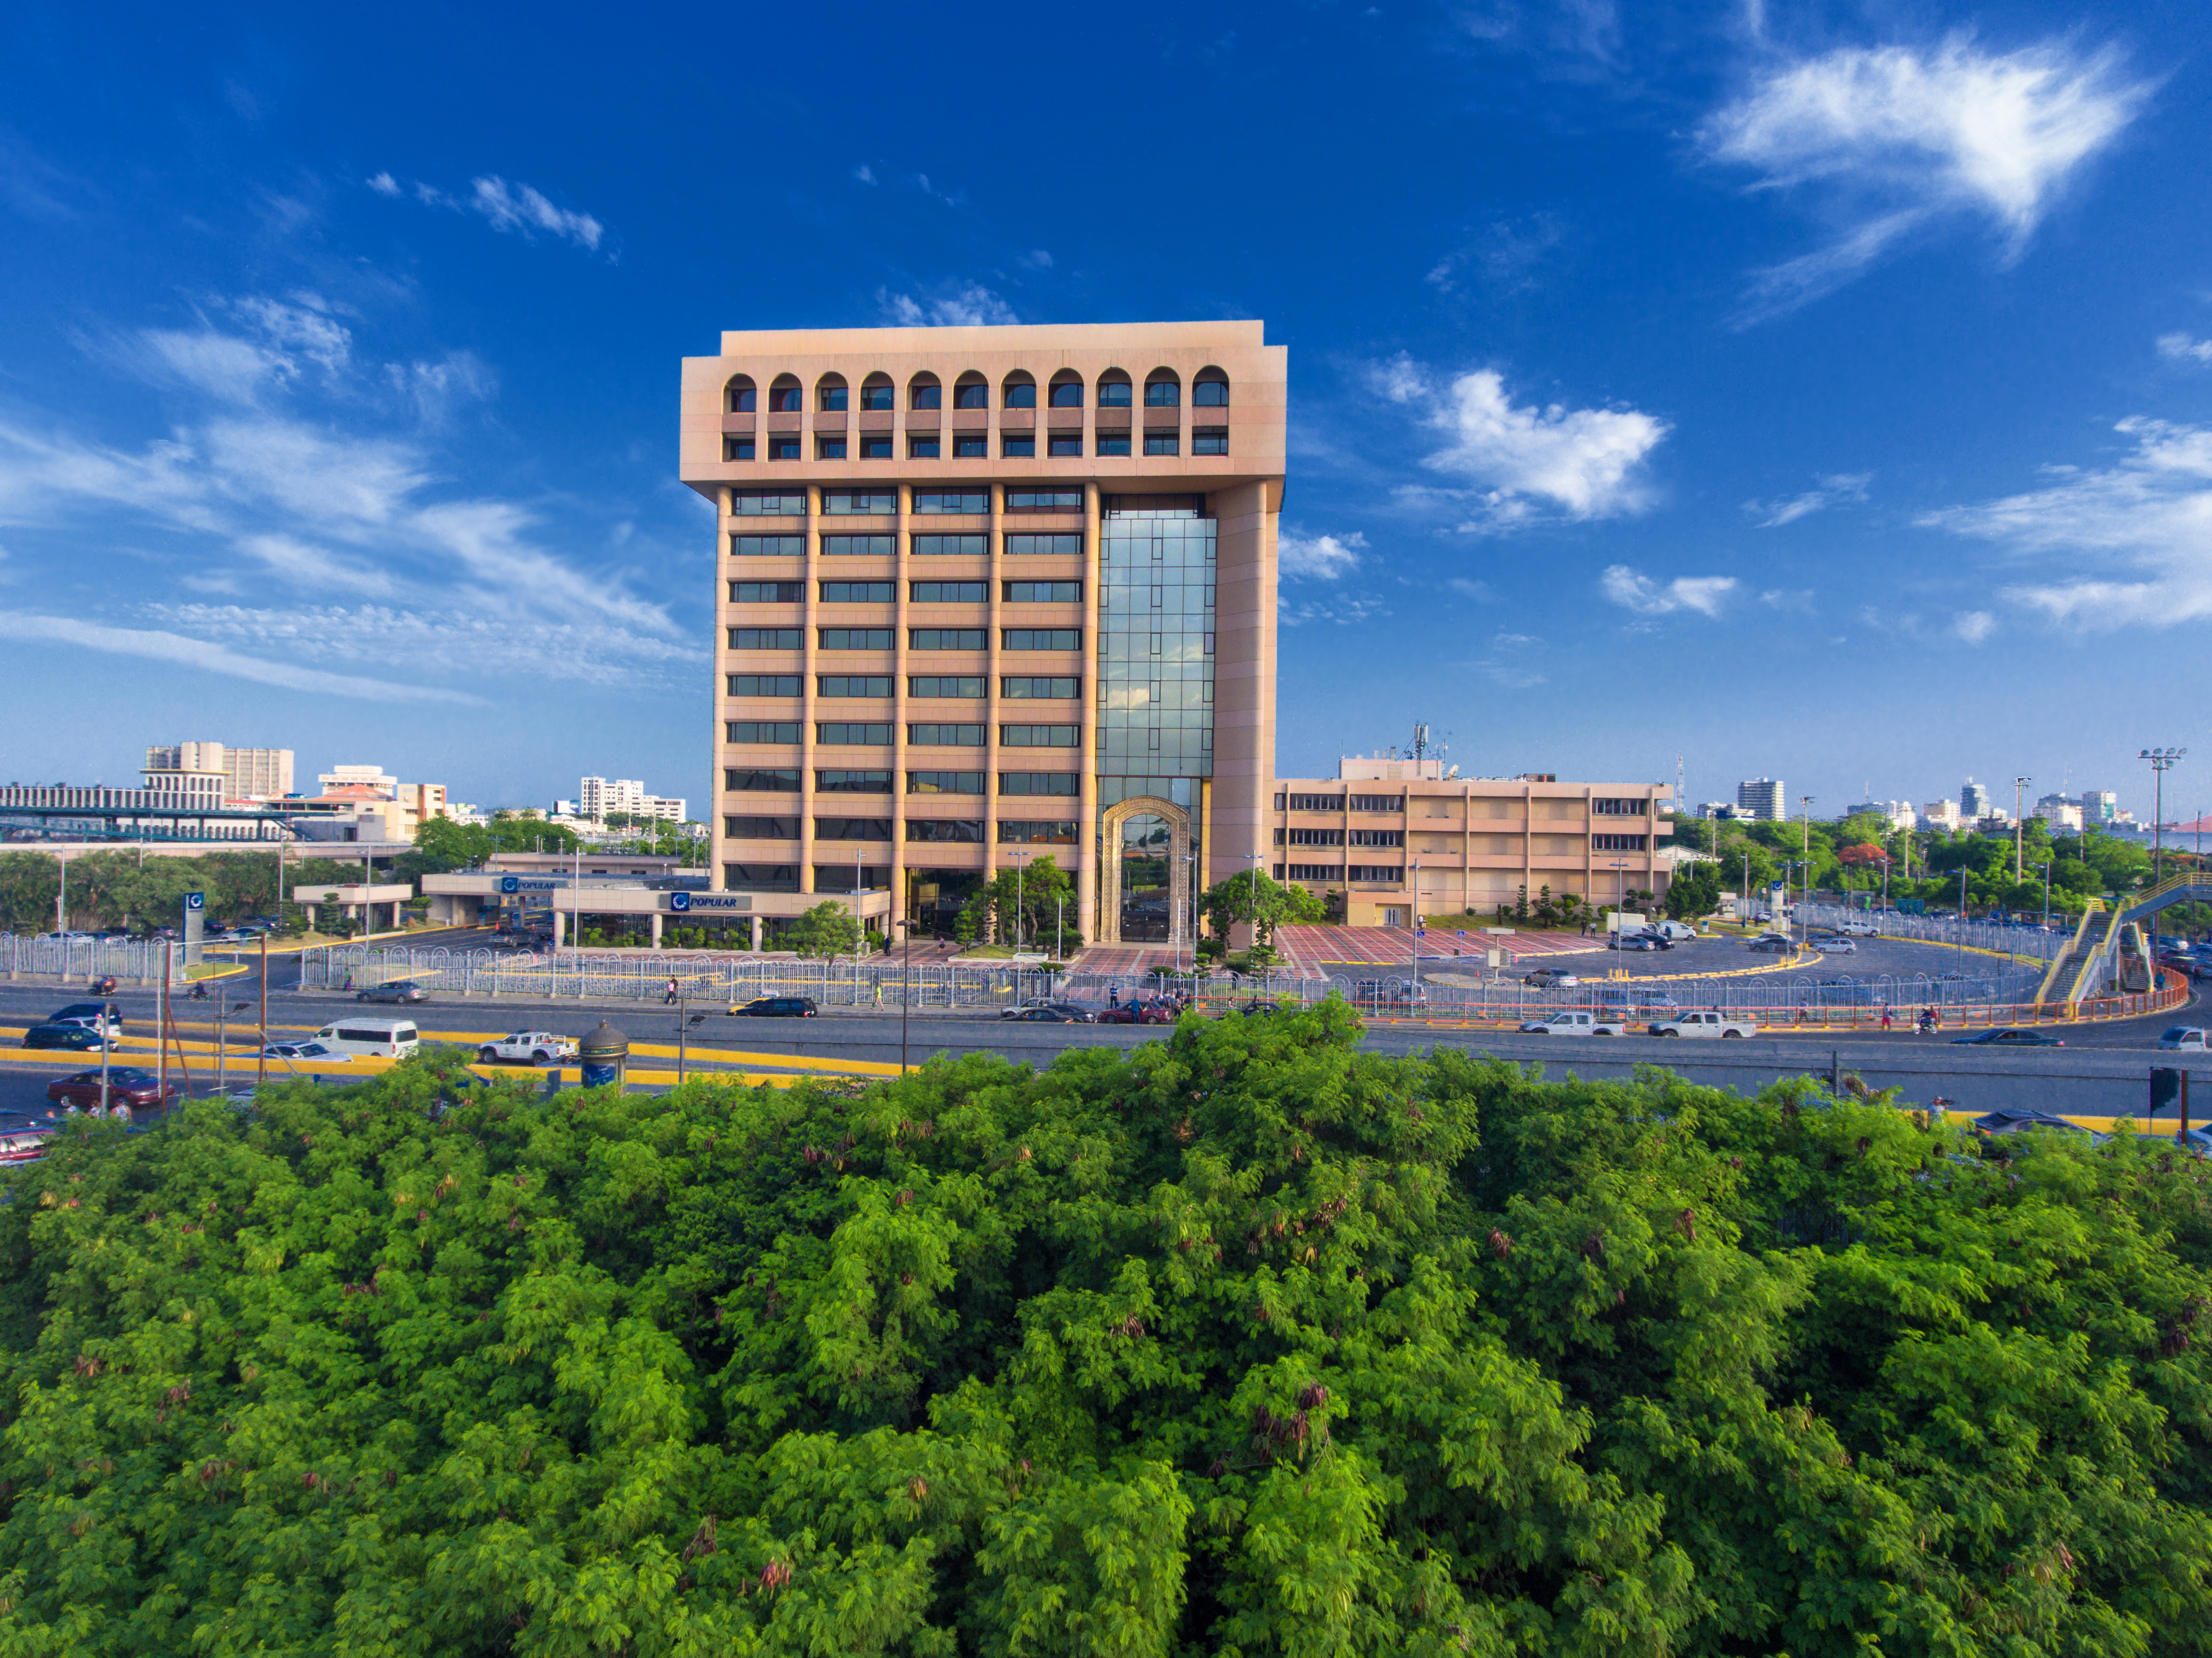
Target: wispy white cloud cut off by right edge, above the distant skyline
point(2136, 539)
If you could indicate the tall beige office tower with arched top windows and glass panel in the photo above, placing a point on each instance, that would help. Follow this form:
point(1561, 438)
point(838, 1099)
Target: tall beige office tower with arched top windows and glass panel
point(985, 594)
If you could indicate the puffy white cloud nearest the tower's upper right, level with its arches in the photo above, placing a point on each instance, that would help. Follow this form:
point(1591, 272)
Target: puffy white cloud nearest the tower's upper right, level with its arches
point(1583, 462)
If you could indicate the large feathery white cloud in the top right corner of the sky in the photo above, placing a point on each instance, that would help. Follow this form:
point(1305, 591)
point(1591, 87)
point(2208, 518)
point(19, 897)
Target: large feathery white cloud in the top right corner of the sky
point(1903, 136)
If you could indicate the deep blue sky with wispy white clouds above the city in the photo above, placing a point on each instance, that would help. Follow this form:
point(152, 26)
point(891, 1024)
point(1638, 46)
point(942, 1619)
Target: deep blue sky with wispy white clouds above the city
point(1817, 393)
